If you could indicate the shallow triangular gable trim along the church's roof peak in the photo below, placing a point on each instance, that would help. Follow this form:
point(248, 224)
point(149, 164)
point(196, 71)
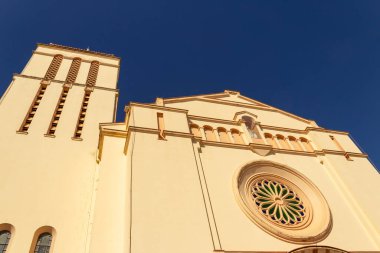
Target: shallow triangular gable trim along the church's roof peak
point(233, 98)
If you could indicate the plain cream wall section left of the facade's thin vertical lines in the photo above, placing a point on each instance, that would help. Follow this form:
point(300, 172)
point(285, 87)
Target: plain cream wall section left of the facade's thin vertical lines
point(168, 213)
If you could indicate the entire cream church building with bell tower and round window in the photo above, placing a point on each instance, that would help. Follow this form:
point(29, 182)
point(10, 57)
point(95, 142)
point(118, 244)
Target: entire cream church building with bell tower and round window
point(207, 173)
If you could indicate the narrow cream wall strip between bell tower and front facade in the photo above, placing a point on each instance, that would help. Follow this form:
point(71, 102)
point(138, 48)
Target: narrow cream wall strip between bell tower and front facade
point(110, 230)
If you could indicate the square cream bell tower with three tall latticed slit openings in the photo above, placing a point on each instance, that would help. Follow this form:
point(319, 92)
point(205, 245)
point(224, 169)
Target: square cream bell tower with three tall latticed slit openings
point(50, 117)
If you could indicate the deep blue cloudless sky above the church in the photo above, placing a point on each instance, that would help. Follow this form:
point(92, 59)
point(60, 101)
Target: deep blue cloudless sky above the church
point(317, 59)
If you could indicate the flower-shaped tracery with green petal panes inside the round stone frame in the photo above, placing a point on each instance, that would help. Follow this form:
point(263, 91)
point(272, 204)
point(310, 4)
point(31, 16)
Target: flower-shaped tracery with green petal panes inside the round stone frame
point(278, 202)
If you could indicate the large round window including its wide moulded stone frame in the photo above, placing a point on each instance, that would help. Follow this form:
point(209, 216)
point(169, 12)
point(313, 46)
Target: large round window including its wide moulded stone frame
point(282, 202)
